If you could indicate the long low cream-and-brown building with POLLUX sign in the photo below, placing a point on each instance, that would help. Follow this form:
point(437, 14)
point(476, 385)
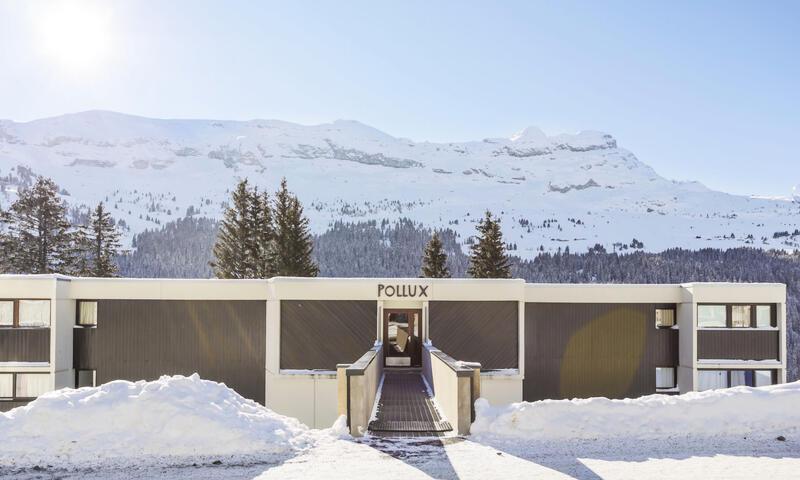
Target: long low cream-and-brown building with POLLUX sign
point(315, 348)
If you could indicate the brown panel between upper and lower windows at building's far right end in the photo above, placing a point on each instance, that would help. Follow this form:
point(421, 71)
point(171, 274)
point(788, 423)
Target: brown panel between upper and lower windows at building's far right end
point(751, 344)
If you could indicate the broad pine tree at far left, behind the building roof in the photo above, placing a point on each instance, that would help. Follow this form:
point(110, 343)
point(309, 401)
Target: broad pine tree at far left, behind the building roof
point(40, 238)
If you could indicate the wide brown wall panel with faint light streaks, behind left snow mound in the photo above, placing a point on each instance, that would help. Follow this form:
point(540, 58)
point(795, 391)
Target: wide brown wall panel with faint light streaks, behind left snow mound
point(224, 341)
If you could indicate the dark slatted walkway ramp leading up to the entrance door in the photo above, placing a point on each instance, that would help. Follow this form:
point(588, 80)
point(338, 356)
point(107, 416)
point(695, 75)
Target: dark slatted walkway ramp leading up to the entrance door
point(406, 408)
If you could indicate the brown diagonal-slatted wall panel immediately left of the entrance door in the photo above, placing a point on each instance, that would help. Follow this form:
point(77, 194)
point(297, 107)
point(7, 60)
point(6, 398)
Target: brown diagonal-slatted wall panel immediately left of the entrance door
point(318, 334)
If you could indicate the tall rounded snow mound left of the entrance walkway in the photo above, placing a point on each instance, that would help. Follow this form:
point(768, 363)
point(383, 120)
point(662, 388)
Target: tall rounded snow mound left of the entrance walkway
point(170, 417)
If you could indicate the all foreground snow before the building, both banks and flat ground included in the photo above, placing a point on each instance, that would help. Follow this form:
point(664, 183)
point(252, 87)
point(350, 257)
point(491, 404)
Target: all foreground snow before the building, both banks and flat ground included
point(515, 441)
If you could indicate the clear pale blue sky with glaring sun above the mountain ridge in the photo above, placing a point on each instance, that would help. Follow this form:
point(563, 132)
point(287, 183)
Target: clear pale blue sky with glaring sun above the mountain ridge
point(699, 90)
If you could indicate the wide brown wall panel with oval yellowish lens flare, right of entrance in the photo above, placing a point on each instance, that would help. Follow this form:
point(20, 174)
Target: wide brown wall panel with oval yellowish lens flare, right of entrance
point(586, 350)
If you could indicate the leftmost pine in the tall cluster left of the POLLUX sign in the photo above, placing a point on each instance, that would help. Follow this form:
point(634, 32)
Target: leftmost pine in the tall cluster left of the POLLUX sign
point(232, 250)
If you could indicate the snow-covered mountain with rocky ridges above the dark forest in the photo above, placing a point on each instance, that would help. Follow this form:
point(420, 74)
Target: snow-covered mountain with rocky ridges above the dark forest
point(551, 191)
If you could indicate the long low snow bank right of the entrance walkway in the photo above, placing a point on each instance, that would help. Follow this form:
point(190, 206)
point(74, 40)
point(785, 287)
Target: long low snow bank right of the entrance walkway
point(735, 411)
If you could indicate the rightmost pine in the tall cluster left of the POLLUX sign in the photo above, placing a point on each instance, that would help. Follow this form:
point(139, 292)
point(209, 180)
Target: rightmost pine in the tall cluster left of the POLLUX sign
point(293, 245)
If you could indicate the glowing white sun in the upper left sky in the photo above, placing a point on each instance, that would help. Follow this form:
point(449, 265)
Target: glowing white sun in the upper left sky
point(75, 35)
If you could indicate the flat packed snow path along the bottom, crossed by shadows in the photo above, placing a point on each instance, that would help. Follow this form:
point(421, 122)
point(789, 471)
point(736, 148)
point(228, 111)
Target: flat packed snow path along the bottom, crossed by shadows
point(481, 459)
